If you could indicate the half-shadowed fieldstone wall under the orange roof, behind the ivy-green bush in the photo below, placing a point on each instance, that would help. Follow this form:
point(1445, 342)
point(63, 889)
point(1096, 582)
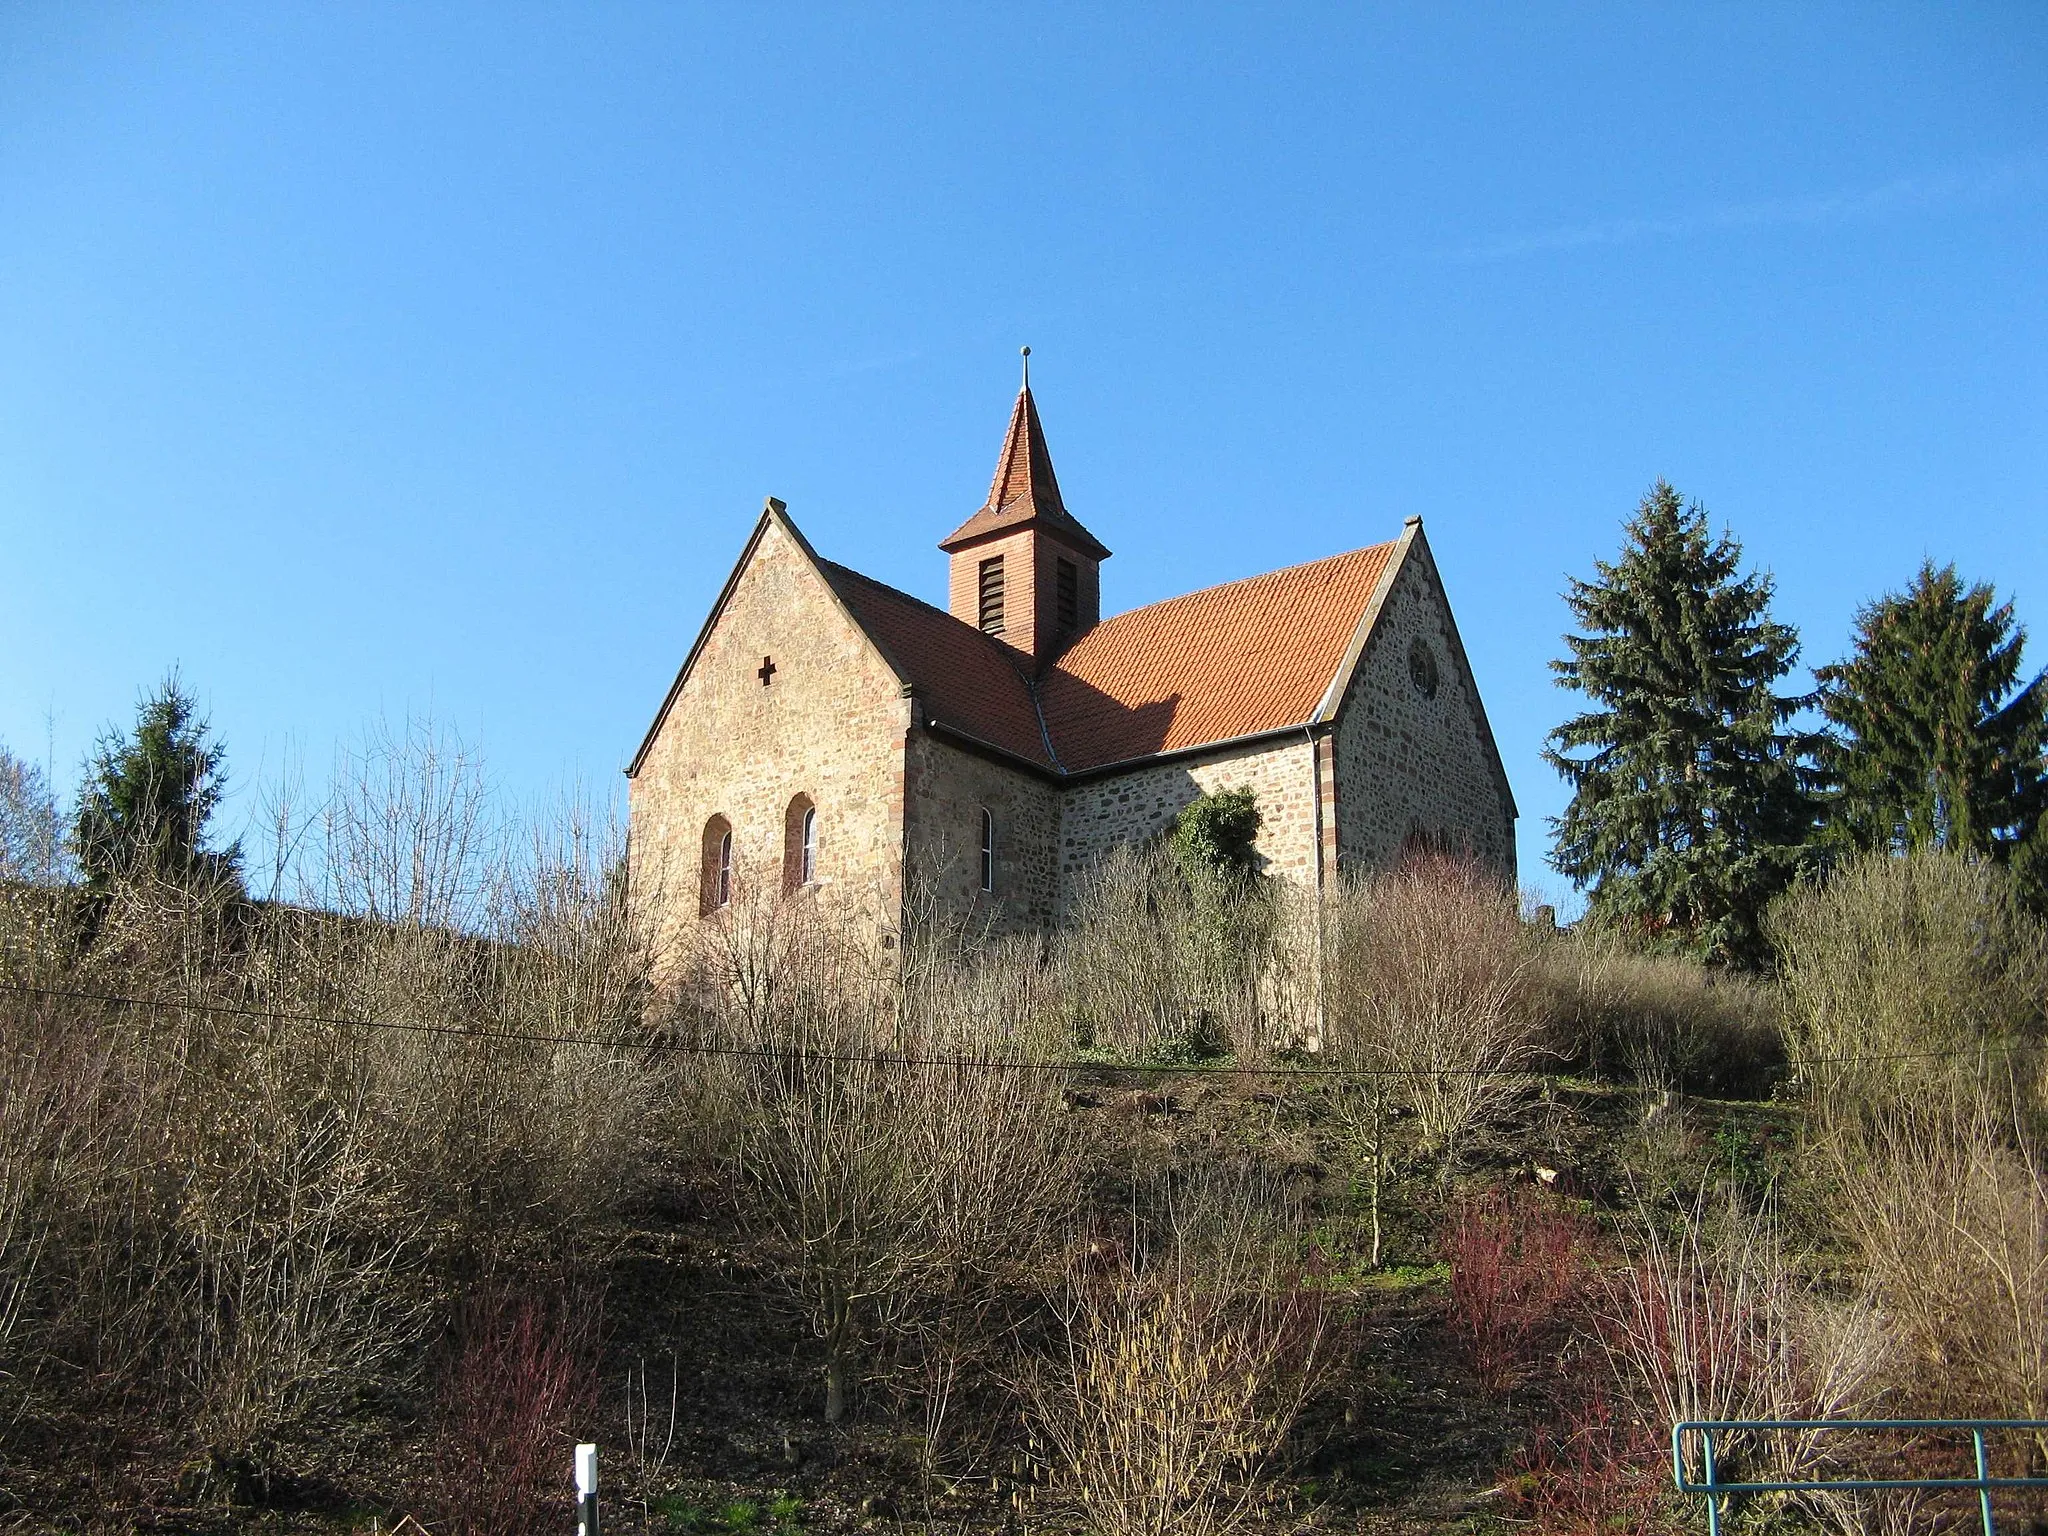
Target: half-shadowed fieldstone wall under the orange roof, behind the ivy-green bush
point(1101, 814)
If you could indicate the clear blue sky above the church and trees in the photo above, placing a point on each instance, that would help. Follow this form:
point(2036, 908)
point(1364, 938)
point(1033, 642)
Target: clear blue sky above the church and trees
point(380, 359)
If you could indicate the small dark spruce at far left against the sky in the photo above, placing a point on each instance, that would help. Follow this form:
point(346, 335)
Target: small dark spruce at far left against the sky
point(148, 798)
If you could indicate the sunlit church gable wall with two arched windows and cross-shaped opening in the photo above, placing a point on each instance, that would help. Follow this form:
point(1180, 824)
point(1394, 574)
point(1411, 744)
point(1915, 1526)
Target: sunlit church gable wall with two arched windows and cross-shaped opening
point(830, 726)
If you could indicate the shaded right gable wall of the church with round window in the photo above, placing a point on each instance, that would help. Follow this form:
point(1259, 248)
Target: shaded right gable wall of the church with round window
point(1410, 765)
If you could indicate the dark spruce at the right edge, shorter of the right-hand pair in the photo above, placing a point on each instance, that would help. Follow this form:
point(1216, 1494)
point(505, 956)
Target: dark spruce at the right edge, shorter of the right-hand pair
point(1936, 742)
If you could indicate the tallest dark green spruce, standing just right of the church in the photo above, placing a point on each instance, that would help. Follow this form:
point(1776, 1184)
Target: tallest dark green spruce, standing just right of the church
point(1691, 792)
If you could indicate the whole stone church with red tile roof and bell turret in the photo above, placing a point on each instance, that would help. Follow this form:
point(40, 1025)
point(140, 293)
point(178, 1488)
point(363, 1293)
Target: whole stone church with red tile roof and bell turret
point(835, 736)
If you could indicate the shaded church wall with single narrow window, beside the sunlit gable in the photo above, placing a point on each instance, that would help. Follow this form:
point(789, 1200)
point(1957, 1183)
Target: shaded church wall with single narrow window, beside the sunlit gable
point(945, 792)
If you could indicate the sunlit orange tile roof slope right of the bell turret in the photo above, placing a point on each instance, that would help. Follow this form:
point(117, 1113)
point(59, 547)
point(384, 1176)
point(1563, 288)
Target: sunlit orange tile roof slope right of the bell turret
point(1234, 660)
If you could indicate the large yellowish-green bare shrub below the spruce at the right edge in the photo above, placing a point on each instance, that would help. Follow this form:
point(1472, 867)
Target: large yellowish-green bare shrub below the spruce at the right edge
point(1904, 972)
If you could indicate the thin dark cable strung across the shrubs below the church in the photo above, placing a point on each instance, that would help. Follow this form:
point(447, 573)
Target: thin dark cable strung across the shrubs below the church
point(982, 1064)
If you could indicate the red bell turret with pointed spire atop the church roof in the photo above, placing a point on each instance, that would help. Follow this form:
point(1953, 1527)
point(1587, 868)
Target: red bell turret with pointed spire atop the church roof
point(1023, 568)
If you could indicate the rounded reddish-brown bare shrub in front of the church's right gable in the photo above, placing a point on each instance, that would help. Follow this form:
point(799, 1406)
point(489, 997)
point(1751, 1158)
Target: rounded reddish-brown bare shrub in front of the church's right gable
point(1426, 980)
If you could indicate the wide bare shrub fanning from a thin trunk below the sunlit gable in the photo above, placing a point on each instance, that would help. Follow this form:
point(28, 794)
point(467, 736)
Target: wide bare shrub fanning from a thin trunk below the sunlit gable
point(894, 1156)
